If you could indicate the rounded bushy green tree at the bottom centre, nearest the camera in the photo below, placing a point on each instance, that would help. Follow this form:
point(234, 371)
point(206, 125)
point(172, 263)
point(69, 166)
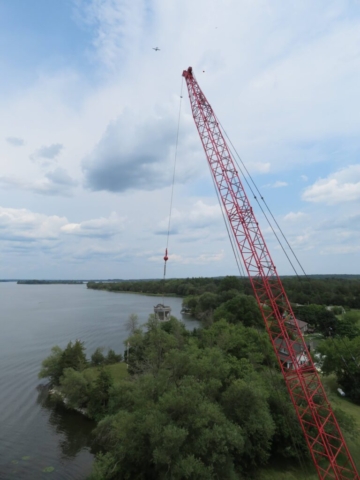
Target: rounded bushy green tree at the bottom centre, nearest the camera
point(183, 435)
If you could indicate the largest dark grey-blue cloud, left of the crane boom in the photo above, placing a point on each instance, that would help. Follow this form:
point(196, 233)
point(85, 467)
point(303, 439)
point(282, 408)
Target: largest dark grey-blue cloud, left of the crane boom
point(133, 153)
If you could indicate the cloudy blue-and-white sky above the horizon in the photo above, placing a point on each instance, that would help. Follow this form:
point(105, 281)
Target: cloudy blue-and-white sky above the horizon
point(89, 117)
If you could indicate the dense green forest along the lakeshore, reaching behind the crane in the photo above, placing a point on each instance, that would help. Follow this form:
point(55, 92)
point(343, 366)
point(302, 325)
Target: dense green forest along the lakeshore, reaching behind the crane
point(209, 403)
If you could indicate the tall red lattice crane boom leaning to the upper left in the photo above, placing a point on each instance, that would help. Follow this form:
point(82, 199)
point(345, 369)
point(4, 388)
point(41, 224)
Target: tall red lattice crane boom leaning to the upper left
point(326, 443)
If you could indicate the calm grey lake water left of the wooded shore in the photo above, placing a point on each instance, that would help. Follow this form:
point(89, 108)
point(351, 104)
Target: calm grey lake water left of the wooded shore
point(33, 318)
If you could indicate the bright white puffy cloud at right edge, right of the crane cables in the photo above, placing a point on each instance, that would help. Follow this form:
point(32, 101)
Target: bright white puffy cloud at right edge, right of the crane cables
point(339, 187)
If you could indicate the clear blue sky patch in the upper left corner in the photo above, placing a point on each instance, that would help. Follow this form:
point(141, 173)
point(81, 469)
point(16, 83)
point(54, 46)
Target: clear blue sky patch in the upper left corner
point(40, 36)
